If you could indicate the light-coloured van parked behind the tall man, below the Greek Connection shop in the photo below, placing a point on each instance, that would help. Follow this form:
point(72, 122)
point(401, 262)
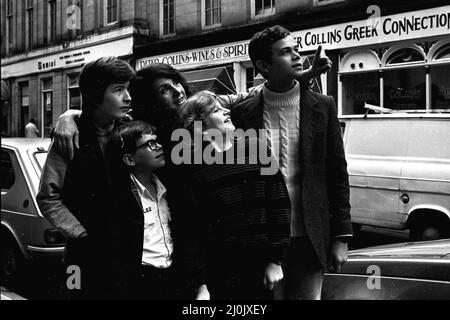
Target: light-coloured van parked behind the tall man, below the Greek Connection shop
point(399, 172)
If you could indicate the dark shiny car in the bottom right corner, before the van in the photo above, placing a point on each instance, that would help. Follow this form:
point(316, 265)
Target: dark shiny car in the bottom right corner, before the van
point(401, 271)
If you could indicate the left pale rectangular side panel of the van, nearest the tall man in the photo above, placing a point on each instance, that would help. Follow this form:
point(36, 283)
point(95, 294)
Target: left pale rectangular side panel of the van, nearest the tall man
point(386, 138)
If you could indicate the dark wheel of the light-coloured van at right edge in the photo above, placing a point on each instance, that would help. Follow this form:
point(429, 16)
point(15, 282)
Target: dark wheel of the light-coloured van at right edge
point(423, 230)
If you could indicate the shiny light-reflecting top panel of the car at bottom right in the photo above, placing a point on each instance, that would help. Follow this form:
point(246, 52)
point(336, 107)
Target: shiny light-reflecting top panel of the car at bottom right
point(423, 249)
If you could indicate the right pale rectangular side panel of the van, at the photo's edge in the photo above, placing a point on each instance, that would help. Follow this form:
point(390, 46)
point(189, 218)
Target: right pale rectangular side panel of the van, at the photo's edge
point(430, 139)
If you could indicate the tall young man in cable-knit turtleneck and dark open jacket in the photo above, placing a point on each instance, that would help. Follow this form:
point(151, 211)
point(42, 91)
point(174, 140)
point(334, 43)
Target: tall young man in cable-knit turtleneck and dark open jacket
point(304, 134)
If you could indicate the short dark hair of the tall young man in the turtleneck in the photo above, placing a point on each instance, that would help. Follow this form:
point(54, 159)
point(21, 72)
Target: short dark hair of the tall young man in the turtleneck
point(260, 46)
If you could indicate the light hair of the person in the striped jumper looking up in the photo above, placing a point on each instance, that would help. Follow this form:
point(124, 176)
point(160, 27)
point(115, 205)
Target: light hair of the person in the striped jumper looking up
point(196, 108)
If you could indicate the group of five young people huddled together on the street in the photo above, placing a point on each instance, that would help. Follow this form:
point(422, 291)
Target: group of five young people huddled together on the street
point(142, 226)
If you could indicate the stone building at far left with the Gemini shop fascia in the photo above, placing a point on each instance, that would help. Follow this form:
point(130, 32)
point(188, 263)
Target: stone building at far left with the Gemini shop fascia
point(46, 43)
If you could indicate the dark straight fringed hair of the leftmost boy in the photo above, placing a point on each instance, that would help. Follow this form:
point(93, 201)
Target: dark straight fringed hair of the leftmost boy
point(97, 75)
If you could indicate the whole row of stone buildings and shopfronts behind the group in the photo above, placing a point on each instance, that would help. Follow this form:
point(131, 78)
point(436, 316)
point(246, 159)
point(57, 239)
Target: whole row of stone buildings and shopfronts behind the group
point(390, 54)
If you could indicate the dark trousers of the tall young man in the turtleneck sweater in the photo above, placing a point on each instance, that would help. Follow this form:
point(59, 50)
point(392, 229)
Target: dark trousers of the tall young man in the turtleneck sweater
point(303, 272)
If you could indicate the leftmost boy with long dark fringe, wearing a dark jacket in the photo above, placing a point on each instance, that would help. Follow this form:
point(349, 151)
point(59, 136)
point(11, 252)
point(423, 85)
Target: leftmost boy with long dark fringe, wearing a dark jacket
point(74, 195)
